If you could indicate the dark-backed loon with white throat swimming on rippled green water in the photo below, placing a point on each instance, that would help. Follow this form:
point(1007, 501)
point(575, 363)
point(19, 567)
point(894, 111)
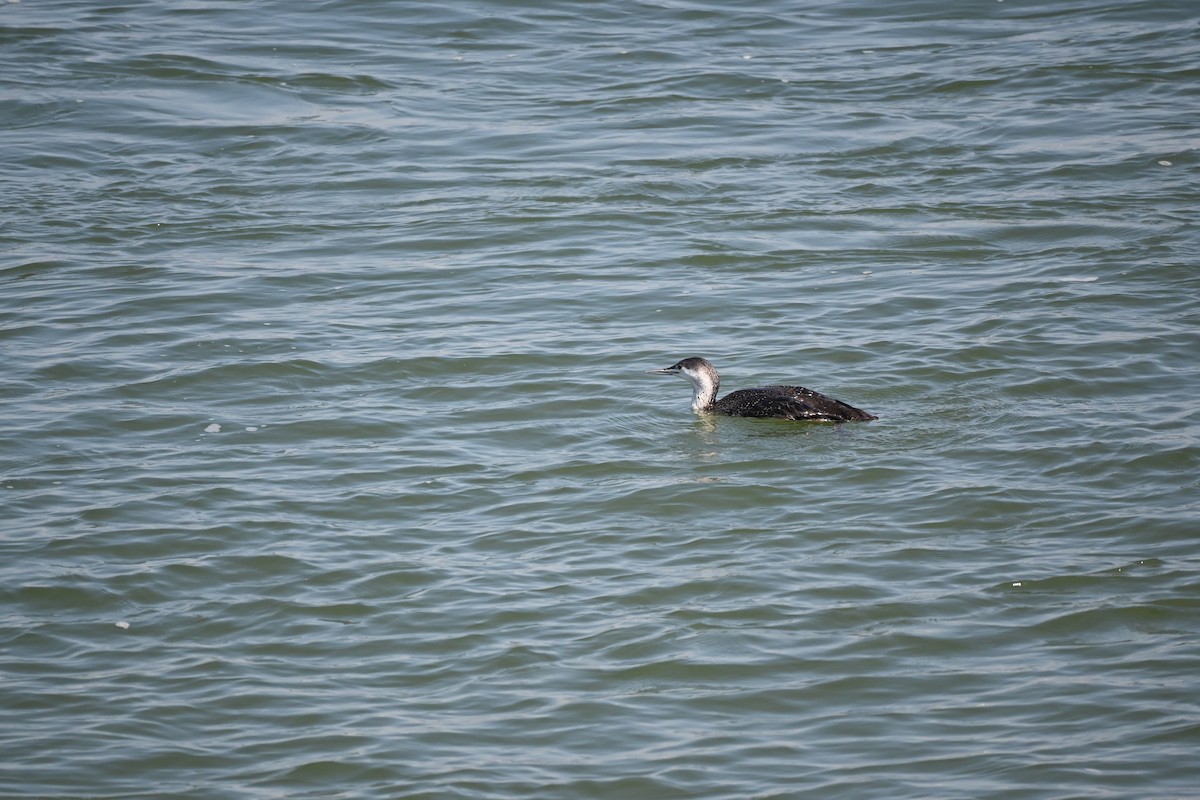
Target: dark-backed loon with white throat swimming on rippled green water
point(775, 402)
